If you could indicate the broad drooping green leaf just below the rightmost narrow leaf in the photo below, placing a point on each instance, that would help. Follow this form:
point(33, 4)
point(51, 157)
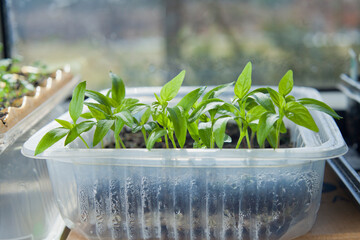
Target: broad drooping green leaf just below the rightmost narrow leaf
point(300, 115)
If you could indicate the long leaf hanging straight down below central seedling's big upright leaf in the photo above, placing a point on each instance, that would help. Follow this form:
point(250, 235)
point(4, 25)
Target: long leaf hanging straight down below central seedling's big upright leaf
point(178, 119)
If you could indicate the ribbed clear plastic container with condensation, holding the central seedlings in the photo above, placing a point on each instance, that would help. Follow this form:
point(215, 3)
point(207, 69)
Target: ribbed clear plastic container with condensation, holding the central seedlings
point(192, 193)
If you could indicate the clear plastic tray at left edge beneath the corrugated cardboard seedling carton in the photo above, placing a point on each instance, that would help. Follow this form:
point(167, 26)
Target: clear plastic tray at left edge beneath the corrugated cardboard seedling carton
point(27, 206)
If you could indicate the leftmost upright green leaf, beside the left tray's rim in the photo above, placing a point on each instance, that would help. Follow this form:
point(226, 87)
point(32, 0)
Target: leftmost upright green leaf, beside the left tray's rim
point(77, 101)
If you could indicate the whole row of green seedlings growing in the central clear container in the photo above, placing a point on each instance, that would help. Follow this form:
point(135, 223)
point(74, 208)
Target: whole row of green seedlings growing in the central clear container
point(258, 113)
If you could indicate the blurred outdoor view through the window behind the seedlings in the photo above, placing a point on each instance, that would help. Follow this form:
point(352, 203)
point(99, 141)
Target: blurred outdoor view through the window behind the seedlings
point(148, 41)
